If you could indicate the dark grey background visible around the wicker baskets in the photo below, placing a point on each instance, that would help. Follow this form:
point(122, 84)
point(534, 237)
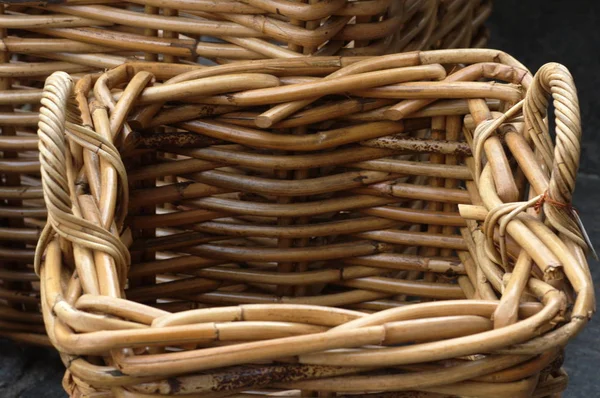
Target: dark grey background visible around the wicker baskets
point(535, 32)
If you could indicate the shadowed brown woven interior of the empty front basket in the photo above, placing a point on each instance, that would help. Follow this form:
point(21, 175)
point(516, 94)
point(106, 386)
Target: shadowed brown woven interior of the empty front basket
point(349, 226)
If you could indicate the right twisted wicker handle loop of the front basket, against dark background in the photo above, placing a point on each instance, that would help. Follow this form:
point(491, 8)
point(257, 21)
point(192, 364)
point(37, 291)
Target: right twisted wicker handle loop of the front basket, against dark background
point(555, 81)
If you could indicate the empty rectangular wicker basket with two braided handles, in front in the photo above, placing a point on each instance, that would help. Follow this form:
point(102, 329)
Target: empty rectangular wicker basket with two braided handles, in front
point(394, 226)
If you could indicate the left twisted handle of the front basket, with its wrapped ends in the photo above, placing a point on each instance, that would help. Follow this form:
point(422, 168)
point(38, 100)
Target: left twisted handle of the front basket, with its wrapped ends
point(64, 215)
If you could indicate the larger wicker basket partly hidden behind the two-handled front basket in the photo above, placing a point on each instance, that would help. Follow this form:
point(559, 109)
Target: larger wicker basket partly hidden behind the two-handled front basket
point(81, 37)
